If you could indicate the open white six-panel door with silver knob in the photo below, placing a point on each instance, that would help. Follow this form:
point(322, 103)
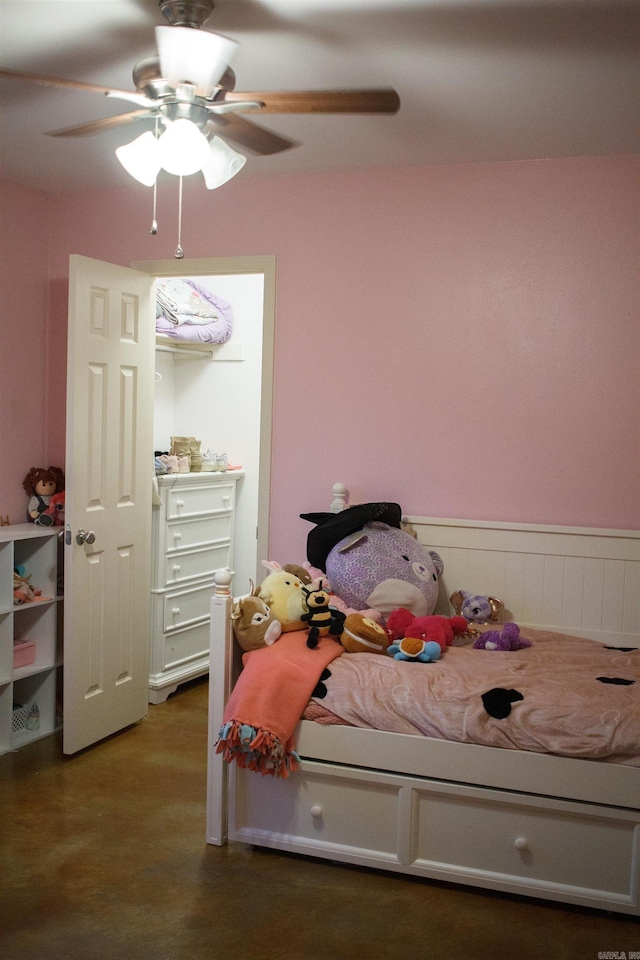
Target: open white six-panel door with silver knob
point(109, 481)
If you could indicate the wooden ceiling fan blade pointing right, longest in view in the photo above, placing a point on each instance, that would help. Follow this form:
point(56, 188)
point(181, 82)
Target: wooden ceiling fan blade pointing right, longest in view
point(384, 100)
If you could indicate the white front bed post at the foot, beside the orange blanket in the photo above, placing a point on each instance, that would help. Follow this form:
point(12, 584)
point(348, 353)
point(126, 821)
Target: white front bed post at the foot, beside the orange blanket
point(220, 676)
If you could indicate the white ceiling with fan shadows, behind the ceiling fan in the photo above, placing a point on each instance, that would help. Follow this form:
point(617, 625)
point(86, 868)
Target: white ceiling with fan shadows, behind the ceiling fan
point(479, 80)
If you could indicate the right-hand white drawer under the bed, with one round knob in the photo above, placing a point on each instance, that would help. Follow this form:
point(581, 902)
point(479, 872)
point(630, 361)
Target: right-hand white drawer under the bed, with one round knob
point(514, 838)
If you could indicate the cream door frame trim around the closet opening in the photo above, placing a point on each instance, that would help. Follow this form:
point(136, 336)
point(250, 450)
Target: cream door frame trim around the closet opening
point(228, 266)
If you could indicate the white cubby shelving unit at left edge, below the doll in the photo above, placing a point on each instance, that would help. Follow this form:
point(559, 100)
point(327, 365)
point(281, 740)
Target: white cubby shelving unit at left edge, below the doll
point(38, 683)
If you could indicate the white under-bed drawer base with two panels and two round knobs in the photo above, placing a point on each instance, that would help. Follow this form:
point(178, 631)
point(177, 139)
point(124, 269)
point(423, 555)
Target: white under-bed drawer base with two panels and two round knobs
point(561, 850)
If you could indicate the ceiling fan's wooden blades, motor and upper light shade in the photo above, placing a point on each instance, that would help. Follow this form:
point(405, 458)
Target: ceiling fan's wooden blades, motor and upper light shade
point(191, 79)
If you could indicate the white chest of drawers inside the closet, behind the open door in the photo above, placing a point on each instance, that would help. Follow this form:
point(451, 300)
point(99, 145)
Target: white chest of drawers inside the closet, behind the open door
point(192, 537)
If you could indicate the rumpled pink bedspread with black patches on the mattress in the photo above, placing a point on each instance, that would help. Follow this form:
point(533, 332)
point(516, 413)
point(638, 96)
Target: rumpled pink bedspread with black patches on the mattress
point(563, 695)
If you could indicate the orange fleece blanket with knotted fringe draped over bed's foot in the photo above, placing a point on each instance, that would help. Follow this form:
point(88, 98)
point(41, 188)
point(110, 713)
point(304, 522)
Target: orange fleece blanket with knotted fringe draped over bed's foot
point(268, 701)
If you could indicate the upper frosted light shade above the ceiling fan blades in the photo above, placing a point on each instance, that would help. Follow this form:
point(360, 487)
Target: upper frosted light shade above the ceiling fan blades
point(193, 56)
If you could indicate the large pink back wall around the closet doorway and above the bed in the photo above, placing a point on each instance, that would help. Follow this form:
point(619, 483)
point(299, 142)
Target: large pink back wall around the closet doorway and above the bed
point(461, 339)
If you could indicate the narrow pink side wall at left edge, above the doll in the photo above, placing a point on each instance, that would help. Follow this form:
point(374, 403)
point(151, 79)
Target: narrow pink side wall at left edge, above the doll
point(24, 243)
